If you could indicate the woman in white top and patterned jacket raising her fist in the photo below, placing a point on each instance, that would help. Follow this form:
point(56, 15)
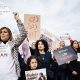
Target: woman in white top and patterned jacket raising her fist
point(10, 68)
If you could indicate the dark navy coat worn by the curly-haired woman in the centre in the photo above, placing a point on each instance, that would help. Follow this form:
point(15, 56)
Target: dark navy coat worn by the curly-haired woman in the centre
point(47, 62)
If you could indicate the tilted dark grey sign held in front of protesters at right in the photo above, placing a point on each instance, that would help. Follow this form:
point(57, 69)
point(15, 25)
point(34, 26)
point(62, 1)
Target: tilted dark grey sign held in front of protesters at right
point(64, 55)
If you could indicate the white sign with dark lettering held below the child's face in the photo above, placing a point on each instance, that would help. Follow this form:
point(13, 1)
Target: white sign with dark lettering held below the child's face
point(39, 74)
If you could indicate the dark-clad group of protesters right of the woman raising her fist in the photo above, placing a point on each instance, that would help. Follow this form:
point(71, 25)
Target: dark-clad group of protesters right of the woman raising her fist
point(41, 57)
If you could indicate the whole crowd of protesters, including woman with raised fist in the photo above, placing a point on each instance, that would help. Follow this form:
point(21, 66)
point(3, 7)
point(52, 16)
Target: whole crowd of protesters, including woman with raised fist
point(13, 67)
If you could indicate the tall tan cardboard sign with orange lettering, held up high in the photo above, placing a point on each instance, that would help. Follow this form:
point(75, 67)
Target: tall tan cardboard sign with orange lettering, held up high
point(32, 23)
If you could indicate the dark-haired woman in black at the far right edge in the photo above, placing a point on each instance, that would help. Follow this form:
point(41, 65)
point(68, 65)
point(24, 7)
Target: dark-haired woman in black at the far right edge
point(75, 65)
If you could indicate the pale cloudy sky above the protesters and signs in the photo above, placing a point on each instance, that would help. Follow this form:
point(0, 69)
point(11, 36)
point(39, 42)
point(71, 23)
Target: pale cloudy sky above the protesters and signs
point(57, 16)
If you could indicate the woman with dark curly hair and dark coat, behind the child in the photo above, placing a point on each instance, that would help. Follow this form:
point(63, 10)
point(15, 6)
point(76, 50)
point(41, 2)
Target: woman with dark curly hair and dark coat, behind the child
point(45, 58)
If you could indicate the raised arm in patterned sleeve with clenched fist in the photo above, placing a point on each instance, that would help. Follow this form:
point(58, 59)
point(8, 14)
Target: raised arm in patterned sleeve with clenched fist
point(23, 32)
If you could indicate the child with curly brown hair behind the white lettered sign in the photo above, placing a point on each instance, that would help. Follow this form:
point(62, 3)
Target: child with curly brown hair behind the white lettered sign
point(32, 64)
